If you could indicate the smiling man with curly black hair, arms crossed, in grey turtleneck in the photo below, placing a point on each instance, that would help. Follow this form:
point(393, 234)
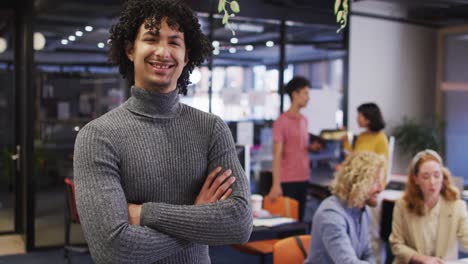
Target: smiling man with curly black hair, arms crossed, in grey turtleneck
point(142, 189)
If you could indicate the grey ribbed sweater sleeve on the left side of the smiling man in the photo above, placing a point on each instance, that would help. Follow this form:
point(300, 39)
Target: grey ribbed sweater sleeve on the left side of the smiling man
point(103, 211)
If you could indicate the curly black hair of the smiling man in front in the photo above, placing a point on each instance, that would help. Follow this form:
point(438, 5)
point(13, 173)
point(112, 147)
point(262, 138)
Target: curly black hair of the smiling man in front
point(151, 12)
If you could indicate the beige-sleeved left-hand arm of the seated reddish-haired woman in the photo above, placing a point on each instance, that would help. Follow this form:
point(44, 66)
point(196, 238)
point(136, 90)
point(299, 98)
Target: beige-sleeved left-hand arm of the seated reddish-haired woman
point(397, 237)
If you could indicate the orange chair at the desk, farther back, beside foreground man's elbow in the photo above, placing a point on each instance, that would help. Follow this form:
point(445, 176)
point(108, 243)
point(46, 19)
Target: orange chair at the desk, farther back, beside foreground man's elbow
point(283, 206)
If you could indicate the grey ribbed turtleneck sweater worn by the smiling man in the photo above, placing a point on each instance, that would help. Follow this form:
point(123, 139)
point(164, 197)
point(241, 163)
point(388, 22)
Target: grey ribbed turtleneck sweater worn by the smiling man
point(155, 151)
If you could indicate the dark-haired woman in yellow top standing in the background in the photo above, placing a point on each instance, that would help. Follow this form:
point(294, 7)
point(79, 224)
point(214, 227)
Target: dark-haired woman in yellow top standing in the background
point(373, 138)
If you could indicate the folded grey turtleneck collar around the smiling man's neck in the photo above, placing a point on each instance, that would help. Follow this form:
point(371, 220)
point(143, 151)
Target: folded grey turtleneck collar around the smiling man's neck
point(154, 104)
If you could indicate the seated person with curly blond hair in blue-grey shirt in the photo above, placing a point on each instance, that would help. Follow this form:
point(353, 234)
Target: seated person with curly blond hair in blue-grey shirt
point(340, 227)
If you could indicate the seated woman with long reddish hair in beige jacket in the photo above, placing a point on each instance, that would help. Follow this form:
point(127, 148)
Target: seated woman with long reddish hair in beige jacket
point(430, 218)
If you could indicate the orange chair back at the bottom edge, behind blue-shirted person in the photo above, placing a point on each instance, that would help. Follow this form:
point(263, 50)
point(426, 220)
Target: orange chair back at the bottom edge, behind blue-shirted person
point(291, 250)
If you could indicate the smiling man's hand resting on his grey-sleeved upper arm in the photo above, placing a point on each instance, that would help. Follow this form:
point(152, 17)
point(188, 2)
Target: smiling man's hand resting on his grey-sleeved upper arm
point(216, 188)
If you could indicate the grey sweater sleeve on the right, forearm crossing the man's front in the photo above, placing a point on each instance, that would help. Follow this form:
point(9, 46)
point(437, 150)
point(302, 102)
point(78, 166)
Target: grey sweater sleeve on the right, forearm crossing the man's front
point(218, 223)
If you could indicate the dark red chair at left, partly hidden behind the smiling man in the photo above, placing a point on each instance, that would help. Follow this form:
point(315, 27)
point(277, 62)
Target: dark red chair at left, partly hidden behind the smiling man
point(71, 217)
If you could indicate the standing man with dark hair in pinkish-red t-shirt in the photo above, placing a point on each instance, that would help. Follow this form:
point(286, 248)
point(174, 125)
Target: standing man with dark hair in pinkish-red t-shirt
point(291, 166)
